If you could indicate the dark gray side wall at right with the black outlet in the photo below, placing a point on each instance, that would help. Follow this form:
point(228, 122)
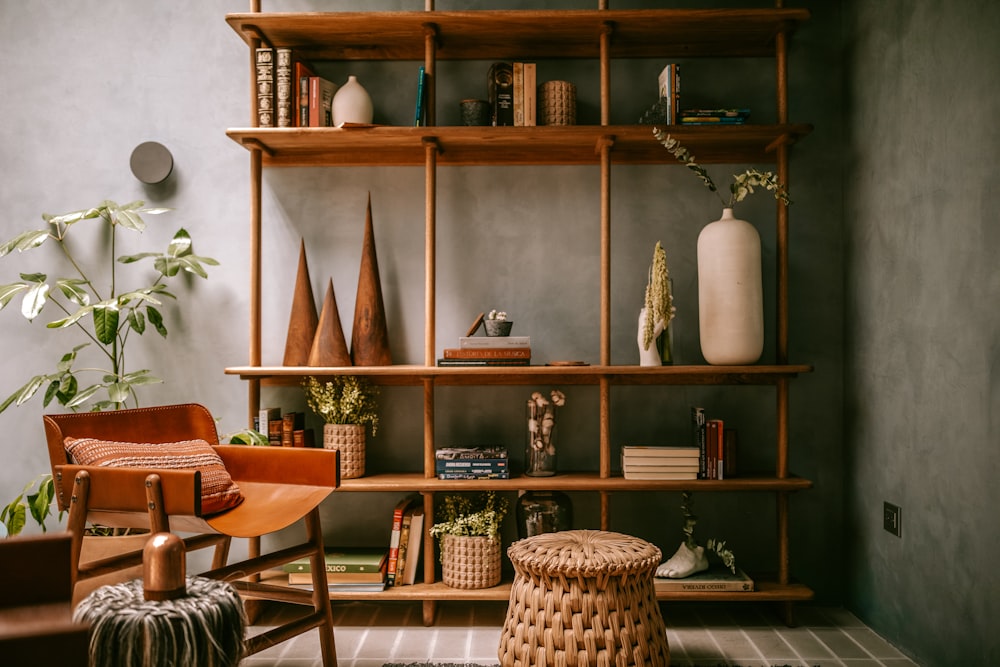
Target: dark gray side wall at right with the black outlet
point(922, 393)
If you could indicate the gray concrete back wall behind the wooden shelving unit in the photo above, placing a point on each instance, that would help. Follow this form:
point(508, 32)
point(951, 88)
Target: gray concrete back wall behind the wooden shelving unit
point(86, 81)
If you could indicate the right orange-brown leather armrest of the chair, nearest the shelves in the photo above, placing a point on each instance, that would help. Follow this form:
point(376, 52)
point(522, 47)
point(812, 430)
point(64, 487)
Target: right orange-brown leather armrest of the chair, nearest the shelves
point(282, 465)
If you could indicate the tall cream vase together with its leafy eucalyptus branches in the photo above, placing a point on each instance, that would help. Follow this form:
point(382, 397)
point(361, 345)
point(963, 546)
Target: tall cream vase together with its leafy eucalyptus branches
point(730, 286)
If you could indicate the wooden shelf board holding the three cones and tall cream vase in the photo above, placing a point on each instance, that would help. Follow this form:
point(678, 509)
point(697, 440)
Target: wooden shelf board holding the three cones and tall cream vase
point(415, 375)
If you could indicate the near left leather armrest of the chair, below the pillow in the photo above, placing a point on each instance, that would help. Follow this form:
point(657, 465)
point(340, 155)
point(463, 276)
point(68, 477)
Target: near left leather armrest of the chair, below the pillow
point(124, 489)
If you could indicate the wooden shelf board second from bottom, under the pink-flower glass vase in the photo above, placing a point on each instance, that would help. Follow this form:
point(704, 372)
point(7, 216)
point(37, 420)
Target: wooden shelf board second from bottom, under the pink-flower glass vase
point(569, 481)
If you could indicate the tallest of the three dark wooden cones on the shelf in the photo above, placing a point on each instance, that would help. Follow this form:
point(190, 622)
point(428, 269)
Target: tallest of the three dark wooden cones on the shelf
point(370, 336)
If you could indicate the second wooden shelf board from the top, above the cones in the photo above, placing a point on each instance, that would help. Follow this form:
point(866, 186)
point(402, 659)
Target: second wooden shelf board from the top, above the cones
point(387, 145)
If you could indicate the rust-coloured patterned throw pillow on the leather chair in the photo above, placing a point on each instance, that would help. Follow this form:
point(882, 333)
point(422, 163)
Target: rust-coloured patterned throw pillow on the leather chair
point(218, 490)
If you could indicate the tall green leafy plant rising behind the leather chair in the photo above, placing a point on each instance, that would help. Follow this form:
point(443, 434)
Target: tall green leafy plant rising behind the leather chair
point(105, 316)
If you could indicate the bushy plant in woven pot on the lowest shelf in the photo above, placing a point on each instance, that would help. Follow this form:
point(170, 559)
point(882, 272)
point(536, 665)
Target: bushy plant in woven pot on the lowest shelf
point(469, 535)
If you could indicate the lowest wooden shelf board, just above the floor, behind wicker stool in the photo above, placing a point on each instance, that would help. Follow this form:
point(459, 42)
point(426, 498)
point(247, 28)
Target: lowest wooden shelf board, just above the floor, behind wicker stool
point(767, 591)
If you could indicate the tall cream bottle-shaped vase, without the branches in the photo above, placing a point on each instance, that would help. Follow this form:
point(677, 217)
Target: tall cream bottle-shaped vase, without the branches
point(730, 292)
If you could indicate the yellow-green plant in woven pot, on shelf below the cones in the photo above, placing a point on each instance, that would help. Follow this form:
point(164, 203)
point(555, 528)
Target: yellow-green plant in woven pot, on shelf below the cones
point(347, 404)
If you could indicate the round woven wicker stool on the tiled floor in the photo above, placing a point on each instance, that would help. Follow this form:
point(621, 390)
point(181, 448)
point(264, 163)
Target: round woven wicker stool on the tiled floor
point(583, 597)
